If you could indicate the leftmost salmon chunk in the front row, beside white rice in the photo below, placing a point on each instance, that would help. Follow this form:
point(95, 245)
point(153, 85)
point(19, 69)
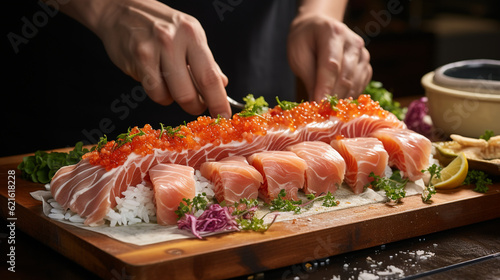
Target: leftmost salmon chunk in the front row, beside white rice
point(172, 183)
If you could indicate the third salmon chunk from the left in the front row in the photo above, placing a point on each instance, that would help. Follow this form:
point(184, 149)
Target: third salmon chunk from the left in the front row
point(280, 170)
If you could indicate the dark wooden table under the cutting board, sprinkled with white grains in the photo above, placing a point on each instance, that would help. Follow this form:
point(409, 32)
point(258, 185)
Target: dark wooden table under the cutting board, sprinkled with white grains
point(469, 252)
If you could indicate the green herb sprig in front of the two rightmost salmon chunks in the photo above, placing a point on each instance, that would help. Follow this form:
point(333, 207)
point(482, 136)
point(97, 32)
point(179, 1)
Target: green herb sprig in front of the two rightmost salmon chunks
point(393, 186)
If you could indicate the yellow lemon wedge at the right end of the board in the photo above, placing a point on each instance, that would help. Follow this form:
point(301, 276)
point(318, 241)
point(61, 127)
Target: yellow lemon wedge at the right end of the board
point(452, 175)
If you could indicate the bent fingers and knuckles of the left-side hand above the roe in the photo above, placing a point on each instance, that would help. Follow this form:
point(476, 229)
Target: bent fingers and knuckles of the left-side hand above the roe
point(180, 68)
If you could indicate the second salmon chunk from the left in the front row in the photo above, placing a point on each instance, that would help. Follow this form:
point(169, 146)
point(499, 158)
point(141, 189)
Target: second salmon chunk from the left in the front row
point(233, 179)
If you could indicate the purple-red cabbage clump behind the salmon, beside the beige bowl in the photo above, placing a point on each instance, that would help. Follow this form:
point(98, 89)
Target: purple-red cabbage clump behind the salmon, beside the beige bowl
point(417, 118)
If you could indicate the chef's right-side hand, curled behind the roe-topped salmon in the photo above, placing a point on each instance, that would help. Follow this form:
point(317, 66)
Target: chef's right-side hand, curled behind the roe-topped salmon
point(325, 54)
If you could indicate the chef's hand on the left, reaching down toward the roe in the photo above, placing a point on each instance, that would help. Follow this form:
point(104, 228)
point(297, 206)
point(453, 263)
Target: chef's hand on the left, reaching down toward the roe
point(155, 44)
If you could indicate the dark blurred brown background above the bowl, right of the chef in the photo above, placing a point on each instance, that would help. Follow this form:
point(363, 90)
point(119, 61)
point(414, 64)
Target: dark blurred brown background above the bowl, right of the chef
point(421, 35)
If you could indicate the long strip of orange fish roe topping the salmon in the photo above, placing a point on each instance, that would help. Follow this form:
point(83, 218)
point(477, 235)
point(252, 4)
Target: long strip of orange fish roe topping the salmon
point(206, 130)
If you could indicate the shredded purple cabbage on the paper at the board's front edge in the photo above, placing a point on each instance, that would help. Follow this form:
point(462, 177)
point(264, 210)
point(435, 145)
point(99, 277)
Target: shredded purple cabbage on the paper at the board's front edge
point(213, 219)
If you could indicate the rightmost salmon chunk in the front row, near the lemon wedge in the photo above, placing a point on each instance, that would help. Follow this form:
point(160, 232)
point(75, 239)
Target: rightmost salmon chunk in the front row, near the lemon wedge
point(408, 151)
